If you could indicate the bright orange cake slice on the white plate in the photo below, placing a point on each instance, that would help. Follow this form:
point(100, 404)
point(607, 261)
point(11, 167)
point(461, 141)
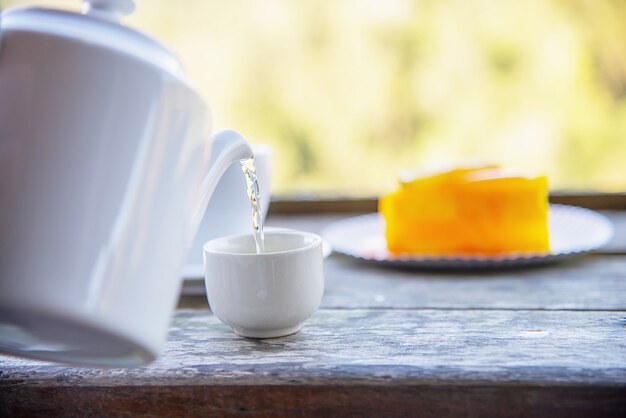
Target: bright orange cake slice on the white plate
point(468, 211)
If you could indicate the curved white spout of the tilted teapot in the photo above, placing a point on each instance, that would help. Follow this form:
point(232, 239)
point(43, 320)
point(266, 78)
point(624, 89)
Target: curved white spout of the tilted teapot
point(227, 147)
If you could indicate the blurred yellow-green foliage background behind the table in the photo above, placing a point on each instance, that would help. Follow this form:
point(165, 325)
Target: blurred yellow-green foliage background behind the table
point(349, 92)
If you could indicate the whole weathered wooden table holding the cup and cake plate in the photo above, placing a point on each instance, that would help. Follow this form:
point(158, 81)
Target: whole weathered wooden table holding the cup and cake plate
point(541, 342)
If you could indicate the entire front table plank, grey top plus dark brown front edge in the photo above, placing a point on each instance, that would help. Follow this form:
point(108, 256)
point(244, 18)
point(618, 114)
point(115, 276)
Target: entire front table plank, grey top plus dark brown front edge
point(427, 363)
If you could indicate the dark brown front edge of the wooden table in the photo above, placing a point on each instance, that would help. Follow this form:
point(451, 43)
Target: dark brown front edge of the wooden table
point(329, 400)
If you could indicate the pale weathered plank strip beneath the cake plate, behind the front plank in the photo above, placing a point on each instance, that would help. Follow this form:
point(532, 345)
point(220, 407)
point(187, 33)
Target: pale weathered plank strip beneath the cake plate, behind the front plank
point(588, 283)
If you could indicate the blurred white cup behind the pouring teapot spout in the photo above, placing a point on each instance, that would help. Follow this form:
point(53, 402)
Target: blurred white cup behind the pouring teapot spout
point(229, 211)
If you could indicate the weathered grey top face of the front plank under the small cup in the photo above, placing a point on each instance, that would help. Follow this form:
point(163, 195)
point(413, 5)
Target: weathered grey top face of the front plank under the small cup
point(386, 347)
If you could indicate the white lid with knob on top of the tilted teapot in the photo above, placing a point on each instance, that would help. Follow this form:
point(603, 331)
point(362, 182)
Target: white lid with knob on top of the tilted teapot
point(99, 23)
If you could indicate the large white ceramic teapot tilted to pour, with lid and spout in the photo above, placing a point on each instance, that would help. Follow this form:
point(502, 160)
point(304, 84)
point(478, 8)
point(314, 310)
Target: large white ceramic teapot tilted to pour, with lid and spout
point(106, 169)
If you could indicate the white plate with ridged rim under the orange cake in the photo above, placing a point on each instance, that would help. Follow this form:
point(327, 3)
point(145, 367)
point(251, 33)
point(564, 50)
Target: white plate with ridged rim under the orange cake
point(573, 231)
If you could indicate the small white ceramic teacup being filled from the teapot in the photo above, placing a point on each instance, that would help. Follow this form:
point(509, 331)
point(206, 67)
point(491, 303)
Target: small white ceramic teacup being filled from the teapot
point(269, 294)
